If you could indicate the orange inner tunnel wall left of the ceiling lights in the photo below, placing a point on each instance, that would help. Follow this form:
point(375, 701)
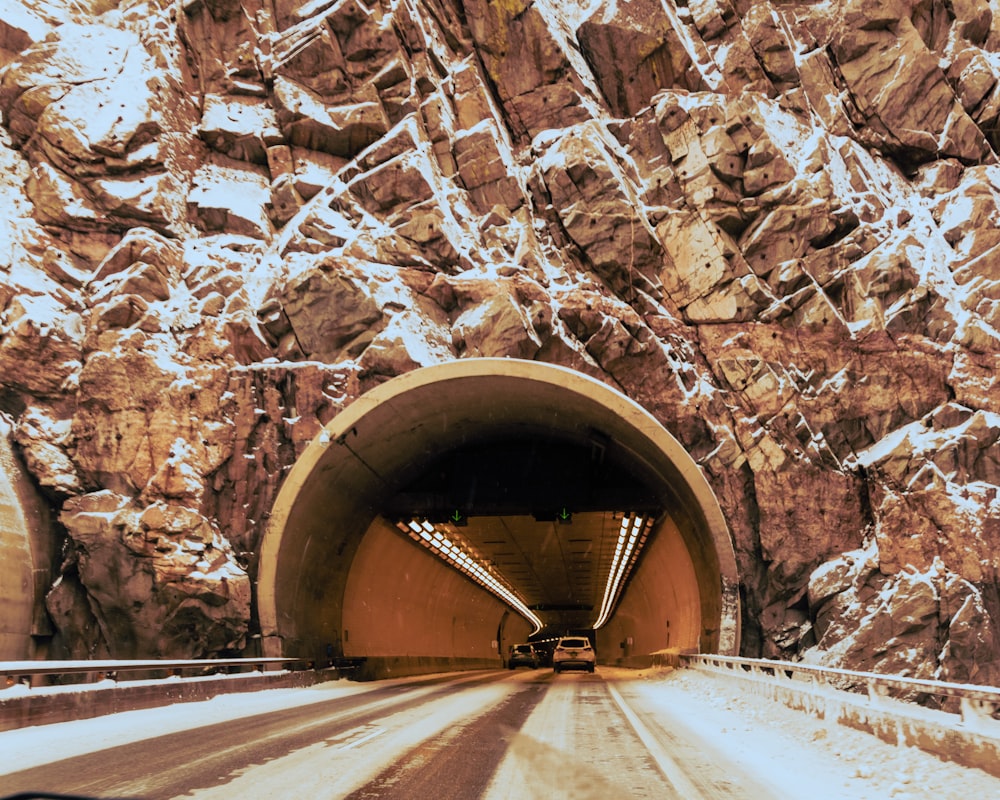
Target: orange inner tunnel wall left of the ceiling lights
point(406, 612)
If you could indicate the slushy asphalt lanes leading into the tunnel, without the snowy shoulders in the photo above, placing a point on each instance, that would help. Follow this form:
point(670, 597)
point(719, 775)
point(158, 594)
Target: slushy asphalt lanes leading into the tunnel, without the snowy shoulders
point(489, 735)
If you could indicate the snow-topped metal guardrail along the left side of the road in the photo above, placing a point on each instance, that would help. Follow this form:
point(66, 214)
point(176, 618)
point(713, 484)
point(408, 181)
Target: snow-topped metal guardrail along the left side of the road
point(16, 671)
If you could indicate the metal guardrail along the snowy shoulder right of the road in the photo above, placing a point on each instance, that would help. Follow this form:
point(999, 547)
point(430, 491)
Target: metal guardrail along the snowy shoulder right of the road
point(975, 703)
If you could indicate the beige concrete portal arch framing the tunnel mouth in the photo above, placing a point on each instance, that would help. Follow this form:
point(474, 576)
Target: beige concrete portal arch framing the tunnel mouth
point(333, 492)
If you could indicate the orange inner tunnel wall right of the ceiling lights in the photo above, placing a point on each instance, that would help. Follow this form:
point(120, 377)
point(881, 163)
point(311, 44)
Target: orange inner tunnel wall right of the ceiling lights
point(662, 590)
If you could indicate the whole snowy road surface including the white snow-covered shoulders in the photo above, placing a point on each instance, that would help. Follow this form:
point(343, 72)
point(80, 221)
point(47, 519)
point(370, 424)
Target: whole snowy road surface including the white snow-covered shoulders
point(492, 735)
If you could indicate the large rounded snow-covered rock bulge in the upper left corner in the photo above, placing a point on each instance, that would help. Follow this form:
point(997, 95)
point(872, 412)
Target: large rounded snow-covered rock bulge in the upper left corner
point(103, 120)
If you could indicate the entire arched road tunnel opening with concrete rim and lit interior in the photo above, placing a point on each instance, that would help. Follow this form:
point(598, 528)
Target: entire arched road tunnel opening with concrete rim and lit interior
point(459, 508)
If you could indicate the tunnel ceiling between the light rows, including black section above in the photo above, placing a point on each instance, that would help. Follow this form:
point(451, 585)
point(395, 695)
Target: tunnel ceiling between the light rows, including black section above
point(544, 512)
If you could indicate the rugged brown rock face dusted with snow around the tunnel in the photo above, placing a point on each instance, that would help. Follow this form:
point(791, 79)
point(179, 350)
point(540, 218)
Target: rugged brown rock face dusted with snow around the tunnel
point(772, 225)
